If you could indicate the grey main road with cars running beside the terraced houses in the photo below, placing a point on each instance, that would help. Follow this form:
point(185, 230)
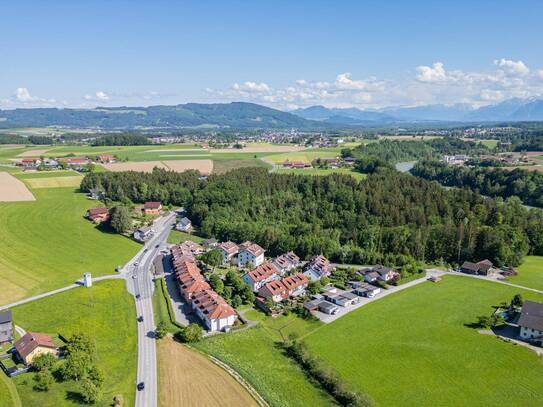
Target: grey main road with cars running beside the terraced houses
point(139, 281)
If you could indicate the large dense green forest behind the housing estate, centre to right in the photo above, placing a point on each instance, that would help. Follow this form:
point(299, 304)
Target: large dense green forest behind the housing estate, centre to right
point(388, 217)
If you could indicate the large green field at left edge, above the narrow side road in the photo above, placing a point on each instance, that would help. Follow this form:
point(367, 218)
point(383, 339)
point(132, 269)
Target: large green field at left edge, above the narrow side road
point(47, 244)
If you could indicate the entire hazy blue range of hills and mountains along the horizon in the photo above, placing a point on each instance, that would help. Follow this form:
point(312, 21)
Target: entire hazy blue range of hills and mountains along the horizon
point(242, 115)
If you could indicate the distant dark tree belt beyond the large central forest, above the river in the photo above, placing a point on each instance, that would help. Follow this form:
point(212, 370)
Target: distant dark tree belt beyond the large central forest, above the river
point(394, 151)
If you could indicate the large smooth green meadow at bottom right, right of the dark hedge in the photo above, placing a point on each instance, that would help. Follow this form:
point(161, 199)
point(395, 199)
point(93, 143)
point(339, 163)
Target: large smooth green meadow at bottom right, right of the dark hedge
point(413, 349)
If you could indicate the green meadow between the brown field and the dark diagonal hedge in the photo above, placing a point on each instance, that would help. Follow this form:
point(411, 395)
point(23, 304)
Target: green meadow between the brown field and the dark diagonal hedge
point(256, 356)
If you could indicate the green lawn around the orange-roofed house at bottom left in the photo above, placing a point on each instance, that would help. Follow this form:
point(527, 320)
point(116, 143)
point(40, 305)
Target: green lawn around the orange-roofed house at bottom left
point(106, 312)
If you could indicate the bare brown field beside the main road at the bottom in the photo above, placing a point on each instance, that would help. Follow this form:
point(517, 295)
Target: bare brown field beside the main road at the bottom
point(189, 379)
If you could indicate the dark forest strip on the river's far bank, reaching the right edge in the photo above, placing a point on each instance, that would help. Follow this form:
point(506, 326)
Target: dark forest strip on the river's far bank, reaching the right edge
point(527, 185)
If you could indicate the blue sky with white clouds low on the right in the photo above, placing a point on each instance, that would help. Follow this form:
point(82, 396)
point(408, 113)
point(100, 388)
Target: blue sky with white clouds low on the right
point(284, 54)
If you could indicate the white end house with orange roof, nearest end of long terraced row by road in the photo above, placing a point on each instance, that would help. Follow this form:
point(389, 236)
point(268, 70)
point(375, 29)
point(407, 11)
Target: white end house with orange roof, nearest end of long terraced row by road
point(211, 308)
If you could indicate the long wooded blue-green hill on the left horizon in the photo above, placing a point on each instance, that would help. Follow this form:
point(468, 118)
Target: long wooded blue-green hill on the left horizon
point(224, 115)
